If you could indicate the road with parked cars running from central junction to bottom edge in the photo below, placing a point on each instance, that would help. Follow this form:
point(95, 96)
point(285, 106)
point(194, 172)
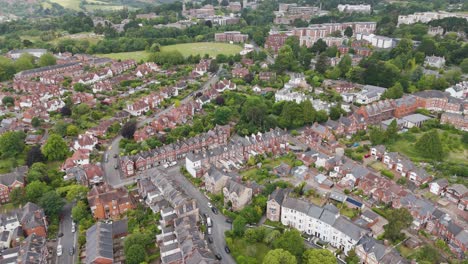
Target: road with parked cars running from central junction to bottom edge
point(219, 221)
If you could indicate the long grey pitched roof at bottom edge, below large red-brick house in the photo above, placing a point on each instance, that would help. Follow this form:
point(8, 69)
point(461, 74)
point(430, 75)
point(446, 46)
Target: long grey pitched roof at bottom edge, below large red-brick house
point(99, 242)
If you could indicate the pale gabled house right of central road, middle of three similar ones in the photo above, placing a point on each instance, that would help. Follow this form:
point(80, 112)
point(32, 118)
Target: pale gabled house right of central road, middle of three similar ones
point(237, 195)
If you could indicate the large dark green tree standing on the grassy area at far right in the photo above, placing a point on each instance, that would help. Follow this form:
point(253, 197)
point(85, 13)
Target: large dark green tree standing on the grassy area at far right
point(430, 146)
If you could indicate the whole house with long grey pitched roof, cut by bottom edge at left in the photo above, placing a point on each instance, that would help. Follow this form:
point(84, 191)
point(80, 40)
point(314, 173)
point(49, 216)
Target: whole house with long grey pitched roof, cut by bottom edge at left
point(100, 240)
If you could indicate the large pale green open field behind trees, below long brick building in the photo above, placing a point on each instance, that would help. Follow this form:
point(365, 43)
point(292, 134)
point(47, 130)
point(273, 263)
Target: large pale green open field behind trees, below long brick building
point(202, 48)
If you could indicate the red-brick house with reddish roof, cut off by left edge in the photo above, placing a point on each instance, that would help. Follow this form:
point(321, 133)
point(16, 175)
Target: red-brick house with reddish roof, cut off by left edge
point(10, 181)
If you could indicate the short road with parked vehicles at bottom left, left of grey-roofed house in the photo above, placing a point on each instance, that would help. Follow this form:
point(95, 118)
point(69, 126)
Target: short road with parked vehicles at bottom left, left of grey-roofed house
point(69, 239)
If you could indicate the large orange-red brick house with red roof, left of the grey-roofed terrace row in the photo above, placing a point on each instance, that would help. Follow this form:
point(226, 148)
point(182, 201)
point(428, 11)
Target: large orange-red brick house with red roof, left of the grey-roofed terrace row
point(106, 202)
